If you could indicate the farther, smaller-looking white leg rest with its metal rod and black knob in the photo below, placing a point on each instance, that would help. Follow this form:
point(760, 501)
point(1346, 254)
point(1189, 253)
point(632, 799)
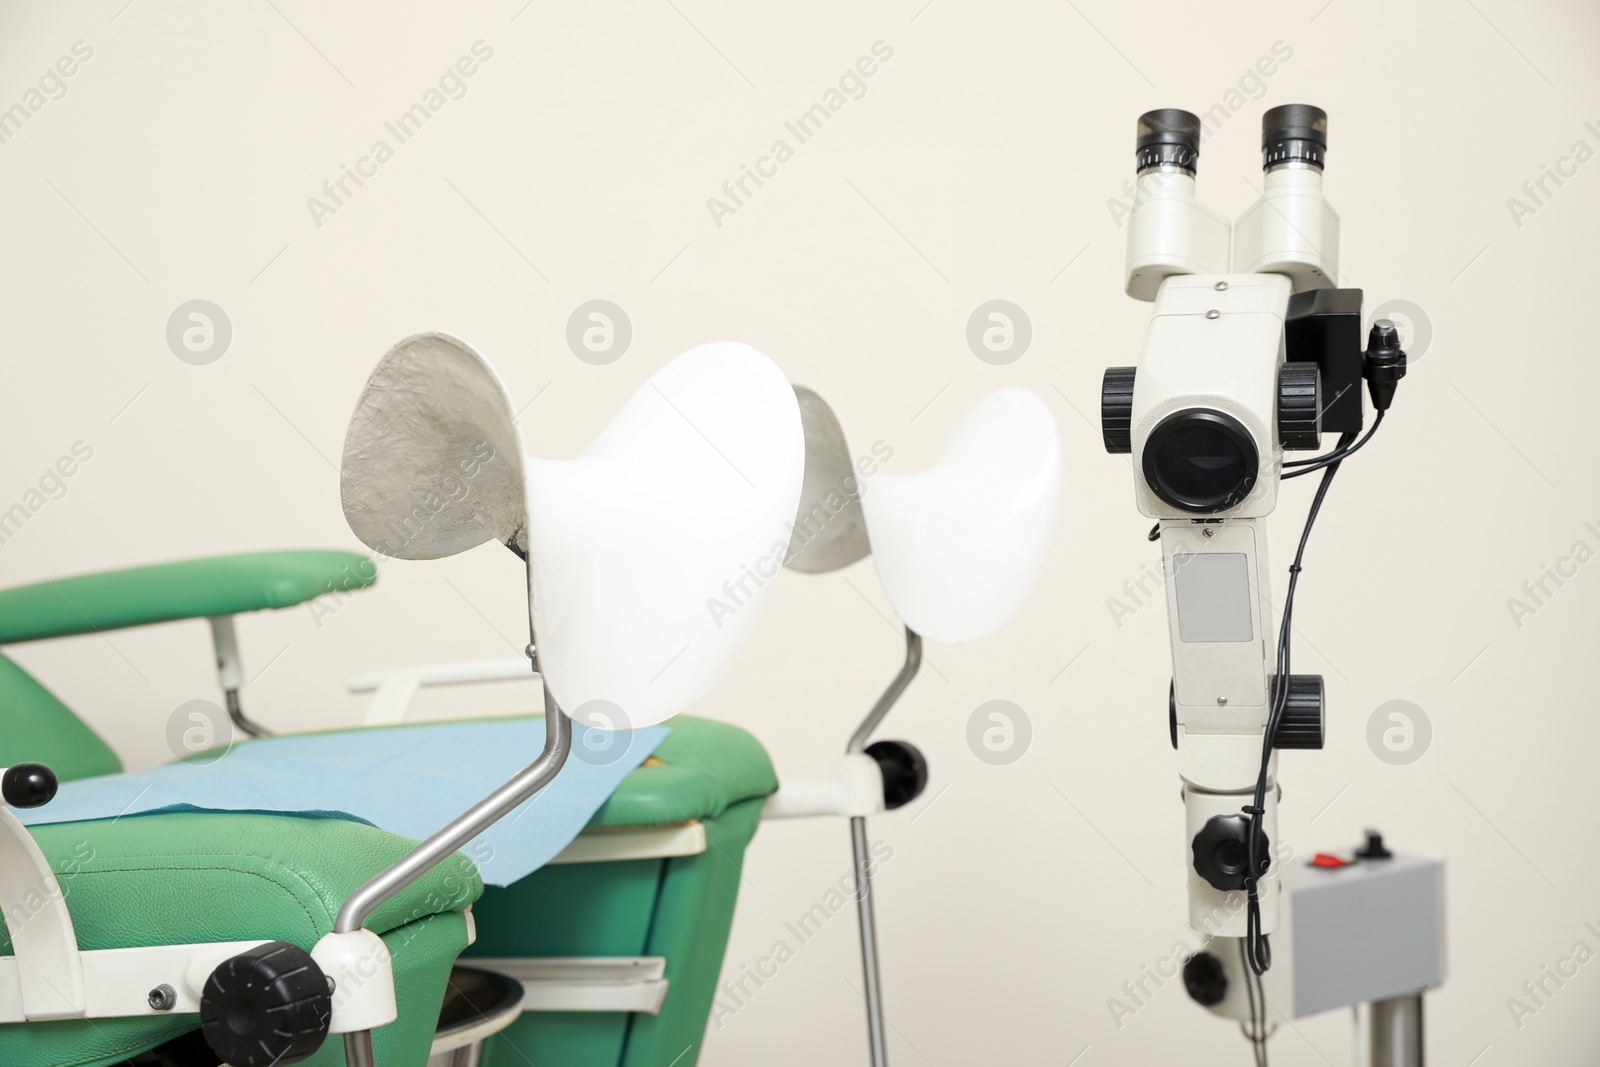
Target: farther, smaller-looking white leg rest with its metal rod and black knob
point(958, 548)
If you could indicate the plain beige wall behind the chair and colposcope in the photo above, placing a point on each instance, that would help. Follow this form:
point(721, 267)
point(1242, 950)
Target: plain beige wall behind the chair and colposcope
point(978, 166)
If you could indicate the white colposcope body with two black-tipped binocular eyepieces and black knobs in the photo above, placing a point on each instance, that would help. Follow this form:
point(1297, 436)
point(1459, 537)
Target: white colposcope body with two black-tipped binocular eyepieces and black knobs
point(1207, 417)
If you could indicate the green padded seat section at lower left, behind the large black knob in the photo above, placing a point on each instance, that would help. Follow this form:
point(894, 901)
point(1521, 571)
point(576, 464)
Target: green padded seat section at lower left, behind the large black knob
point(193, 877)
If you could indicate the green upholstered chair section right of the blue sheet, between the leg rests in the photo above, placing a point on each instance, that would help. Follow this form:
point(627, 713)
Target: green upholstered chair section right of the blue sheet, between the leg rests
point(678, 908)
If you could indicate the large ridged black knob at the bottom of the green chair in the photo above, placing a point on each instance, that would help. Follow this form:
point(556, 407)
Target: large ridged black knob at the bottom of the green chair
point(266, 1007)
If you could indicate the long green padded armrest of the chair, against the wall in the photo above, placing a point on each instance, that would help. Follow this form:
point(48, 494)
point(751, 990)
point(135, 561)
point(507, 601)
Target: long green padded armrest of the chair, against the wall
point(186, 589)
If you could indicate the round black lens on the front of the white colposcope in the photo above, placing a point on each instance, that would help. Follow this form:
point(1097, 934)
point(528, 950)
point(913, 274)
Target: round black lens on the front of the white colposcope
point(1201, 462)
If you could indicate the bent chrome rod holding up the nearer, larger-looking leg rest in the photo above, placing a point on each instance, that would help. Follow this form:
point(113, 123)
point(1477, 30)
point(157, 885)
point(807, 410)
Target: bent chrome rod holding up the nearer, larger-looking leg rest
point(481, 817)
